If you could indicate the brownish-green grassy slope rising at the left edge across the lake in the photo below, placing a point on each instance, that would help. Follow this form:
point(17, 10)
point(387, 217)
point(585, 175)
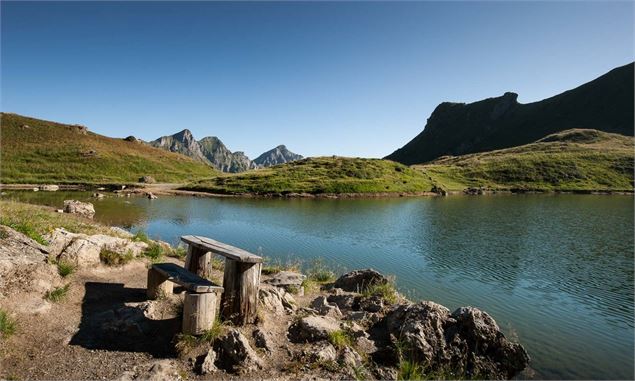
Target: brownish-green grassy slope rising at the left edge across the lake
point(38, 151)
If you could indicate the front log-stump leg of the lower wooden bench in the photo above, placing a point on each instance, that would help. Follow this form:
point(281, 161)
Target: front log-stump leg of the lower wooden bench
point(199, 312)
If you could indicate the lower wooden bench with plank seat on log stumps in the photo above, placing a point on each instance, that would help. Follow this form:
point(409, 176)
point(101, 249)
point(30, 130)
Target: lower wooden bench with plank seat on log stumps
point(199, 305)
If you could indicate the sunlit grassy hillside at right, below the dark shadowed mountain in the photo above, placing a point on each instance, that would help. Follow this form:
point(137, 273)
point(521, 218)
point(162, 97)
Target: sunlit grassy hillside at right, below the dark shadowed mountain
point(572, 160)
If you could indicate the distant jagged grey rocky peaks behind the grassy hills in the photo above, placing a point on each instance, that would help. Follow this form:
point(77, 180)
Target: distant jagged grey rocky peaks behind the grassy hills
point(211, 150)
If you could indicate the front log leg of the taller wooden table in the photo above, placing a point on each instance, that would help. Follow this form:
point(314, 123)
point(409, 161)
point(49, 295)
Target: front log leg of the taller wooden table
point(240, 294)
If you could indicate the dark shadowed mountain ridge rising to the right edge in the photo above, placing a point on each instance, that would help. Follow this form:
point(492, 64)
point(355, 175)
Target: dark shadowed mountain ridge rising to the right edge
point(604, 104)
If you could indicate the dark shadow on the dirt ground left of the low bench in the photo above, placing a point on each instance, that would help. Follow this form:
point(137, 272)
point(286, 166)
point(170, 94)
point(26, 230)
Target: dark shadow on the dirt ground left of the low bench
point(109, 324)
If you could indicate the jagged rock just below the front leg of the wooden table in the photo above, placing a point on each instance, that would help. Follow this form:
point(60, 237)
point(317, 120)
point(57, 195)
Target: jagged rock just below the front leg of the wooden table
point(235, 354)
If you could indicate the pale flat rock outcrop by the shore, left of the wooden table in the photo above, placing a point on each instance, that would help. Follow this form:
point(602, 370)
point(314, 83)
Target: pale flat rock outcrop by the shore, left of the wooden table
point(84, 250)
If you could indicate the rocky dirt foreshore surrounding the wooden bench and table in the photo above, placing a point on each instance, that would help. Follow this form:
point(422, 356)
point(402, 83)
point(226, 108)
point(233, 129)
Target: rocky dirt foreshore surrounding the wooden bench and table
point(309, 326)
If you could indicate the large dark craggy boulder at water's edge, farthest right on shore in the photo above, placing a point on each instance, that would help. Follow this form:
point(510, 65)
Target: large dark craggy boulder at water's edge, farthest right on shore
point(467, 342)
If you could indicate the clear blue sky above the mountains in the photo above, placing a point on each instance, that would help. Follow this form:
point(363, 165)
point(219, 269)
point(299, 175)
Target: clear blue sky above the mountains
point(352, 79)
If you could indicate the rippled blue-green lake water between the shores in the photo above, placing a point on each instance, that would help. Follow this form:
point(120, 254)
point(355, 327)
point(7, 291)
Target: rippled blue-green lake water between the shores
point(556, 271)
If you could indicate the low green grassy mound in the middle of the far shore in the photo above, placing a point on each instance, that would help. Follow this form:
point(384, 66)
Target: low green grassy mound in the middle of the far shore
point(321, 175)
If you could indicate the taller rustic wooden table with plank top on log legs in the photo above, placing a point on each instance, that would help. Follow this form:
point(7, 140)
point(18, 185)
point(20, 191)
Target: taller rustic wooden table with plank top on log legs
point(240, 281)
